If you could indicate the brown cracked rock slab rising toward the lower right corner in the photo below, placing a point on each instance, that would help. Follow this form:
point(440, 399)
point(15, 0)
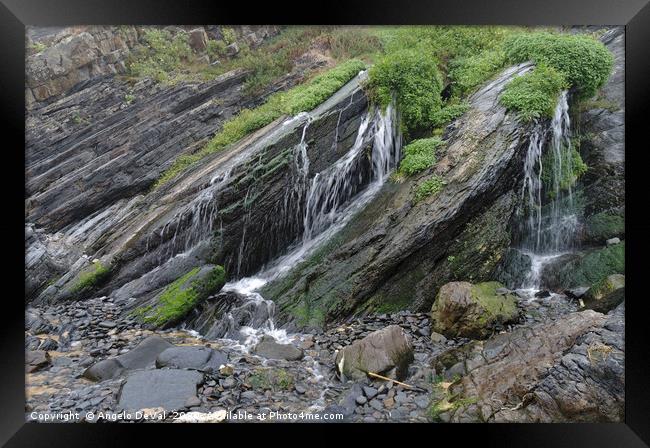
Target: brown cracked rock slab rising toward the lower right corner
point(498, 375)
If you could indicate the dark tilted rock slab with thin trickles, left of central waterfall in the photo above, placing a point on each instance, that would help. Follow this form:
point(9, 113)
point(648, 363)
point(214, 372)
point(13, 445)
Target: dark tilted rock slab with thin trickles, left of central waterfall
point(217, 209)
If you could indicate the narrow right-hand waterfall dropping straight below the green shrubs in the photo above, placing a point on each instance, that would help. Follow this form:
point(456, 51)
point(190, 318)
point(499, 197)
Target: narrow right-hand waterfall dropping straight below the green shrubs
point(550, 228)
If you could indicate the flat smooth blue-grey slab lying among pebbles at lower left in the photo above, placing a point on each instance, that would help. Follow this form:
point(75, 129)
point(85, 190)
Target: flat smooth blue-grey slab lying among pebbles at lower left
point(169, 389)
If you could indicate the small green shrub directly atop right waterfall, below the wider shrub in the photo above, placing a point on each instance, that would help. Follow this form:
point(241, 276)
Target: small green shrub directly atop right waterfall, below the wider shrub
point(534, 94)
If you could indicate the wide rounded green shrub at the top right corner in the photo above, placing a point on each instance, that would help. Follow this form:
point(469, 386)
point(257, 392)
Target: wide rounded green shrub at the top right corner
point(584, 61)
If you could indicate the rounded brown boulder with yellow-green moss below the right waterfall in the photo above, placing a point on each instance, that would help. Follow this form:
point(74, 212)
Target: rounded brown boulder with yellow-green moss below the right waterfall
point(462, 309)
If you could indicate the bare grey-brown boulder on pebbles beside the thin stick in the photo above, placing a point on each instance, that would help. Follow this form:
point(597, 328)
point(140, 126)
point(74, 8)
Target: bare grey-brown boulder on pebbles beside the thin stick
point(387, 352)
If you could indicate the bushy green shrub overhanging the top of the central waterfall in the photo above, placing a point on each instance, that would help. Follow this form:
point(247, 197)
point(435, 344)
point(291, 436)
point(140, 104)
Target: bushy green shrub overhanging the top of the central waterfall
point(412, 76)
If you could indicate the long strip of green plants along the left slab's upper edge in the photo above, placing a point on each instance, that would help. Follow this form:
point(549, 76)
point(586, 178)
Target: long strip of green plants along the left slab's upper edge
point(299, 99)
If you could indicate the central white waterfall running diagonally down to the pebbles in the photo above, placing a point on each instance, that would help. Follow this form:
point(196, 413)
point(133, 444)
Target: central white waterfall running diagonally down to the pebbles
point(333, 197)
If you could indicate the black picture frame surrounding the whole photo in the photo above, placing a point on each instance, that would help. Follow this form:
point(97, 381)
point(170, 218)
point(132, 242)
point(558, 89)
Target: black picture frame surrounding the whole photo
point(633, 14)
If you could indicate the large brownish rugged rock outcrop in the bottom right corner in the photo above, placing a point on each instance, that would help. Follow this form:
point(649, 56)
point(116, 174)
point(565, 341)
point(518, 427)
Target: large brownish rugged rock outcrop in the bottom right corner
point(516, 376)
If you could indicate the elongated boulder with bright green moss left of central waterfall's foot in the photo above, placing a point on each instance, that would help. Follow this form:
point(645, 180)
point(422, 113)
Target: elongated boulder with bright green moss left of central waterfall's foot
point(182, 295)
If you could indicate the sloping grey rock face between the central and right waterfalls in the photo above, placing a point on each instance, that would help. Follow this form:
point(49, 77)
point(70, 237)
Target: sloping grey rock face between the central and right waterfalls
point(385, 256)
